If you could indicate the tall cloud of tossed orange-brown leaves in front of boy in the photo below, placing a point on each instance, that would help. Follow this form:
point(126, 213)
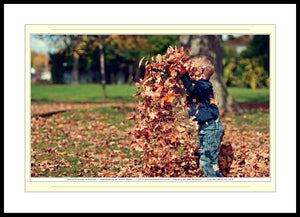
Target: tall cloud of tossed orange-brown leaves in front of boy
point(162, 132)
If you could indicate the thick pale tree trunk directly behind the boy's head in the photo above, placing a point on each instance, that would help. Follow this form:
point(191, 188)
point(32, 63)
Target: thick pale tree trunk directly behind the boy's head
point(211, 46)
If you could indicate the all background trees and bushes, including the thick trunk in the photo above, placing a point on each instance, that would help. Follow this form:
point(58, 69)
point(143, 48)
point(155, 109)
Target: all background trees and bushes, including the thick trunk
point(110, 56)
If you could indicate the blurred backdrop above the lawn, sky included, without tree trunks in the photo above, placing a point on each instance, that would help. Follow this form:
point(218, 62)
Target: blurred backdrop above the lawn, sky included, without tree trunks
point(75, 59)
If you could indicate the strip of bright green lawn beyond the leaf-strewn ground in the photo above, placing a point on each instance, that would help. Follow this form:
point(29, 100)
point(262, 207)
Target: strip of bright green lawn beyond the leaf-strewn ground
point(120, 93)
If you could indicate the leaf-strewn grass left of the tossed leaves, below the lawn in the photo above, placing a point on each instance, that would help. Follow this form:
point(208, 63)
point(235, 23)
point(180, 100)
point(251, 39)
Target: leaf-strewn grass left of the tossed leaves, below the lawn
point(81, 143)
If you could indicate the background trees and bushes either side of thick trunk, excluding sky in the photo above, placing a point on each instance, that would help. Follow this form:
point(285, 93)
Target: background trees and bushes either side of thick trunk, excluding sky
point(81, 54)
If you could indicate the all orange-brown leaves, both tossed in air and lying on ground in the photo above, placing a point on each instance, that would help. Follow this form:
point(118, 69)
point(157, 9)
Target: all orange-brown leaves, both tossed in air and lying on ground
point(78, 140)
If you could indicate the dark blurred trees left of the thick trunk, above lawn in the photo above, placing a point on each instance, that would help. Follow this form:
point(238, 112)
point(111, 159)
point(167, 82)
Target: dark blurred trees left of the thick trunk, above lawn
point(120, 54)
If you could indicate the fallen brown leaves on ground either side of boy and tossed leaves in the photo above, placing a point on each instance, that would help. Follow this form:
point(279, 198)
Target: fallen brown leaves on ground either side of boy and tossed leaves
point(90, 143)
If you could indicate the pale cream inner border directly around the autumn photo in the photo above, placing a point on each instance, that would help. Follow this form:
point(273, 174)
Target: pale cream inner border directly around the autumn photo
point(152, 184)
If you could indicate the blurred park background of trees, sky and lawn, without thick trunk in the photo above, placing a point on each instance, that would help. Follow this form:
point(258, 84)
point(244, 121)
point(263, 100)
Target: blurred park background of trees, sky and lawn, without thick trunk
point(101, 68)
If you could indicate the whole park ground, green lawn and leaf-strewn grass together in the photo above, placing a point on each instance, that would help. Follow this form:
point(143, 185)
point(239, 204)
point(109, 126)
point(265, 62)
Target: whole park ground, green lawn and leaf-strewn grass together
point(76, 133)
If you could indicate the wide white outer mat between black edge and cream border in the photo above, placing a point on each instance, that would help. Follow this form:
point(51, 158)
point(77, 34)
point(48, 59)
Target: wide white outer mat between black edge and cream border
point(16, 199)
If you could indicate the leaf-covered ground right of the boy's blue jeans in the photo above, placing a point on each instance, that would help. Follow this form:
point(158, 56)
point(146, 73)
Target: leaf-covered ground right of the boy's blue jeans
point(244, 153)
